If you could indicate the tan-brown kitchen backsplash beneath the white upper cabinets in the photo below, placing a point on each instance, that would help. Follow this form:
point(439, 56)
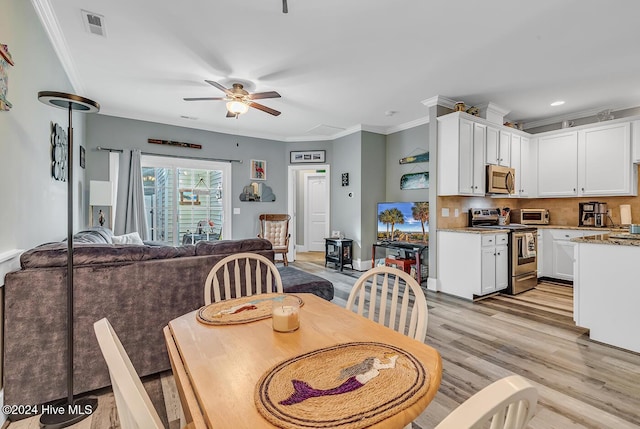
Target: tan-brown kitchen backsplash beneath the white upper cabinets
point(562, 211)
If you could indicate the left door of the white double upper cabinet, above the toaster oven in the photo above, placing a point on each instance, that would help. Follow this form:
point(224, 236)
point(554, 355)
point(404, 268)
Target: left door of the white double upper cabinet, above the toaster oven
point(558, 165)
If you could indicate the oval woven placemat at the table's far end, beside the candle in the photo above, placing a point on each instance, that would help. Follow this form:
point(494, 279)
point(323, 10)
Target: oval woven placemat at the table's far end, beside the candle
point(240, 310)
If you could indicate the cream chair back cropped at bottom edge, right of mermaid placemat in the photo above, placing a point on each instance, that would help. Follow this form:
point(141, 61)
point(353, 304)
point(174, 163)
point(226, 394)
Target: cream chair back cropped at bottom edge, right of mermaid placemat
point(508, 403)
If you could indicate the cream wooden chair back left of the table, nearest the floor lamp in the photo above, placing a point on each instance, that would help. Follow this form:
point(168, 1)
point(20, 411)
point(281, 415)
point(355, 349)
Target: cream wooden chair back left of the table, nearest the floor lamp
point(134, 406)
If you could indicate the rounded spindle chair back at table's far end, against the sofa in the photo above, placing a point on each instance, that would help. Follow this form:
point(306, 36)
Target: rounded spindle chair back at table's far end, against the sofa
point(256, 272)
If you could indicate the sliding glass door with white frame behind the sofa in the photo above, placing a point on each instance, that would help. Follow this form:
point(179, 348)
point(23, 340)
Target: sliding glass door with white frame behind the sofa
point(186, 200)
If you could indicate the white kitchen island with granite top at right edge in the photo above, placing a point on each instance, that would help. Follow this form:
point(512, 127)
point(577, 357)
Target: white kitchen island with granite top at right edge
point(606, 288)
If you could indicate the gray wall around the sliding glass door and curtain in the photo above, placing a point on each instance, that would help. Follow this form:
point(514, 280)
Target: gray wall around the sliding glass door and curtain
point(119, 133)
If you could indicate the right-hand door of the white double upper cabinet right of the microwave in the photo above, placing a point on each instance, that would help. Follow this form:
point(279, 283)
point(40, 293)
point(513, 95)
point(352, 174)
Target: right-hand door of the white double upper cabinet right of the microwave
point(604, 160)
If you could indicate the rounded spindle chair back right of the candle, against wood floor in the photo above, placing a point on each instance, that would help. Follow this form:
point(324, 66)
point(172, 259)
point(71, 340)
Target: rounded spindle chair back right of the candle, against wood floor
point(392, 298)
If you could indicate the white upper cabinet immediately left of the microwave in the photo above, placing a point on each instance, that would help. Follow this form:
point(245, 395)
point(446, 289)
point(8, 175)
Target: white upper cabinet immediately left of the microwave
point(461, 164)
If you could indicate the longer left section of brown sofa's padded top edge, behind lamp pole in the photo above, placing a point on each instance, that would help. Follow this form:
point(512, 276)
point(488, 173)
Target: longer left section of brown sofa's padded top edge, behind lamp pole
point(55, 254)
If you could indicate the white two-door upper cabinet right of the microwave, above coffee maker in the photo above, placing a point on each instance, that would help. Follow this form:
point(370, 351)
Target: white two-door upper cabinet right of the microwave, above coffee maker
point(589, 161)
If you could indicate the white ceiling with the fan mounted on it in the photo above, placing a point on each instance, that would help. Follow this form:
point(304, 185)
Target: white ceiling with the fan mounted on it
point(344, 65)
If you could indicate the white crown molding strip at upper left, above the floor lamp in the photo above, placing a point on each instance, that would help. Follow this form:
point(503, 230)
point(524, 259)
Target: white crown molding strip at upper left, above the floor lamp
point(52, 28)
